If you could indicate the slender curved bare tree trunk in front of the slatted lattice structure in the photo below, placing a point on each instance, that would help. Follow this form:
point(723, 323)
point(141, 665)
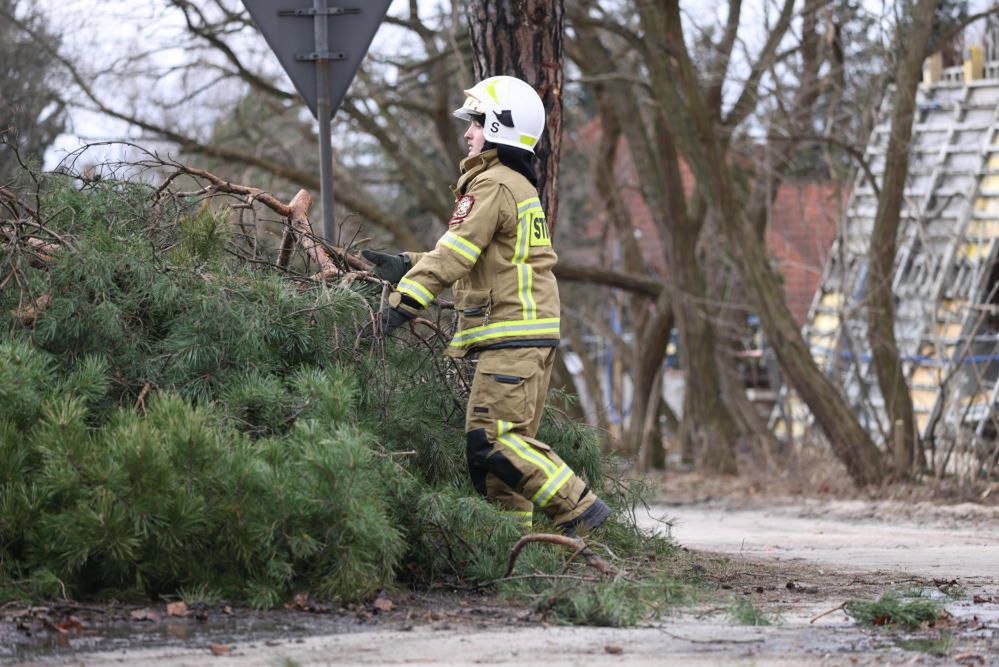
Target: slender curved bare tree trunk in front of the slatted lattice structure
point(881, 257)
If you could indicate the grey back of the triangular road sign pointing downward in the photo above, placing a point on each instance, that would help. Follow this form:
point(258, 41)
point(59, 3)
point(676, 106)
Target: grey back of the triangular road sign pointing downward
point(289, 28)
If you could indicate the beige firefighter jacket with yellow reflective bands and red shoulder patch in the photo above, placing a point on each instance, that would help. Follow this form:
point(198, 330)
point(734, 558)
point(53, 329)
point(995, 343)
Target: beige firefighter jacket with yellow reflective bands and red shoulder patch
point(497, 254)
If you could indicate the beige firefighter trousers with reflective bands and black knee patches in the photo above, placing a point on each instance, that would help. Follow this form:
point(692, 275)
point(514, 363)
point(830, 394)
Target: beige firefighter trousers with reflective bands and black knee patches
point(506, 463)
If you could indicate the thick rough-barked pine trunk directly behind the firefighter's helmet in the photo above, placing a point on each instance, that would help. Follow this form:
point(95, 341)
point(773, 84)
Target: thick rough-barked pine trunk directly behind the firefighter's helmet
point(523, 38)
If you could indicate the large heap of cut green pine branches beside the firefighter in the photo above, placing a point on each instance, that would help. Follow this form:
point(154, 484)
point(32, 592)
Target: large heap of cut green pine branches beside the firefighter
point(178, 417)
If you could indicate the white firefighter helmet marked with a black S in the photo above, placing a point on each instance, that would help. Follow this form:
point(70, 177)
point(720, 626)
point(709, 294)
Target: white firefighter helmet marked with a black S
point(514, 113)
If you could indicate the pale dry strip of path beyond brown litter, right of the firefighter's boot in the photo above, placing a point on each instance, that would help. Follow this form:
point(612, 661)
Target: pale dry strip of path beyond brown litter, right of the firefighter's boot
point(961, 541)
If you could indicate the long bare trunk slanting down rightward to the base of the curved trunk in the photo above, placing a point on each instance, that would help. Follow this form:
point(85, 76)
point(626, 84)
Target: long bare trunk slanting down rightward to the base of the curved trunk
point(691, 122)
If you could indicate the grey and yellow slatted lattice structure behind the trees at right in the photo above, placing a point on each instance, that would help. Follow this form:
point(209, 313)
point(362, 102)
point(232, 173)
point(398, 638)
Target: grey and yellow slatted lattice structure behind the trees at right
point(945, 281)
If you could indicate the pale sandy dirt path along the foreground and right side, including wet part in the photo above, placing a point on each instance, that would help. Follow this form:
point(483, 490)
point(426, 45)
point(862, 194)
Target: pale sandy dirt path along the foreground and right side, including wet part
point(796, 559)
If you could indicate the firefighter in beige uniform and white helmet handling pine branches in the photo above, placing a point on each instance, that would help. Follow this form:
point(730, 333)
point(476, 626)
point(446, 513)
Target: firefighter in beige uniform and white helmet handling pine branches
point(498, 256)
